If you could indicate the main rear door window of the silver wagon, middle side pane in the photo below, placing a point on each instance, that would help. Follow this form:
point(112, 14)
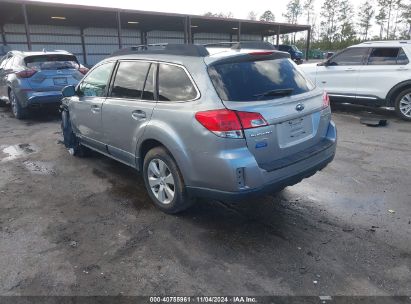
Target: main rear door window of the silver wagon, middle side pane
point(130, 78)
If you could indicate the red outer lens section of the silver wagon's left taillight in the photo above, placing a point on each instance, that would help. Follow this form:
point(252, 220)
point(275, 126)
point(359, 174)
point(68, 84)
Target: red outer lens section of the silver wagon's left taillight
point(219, 120)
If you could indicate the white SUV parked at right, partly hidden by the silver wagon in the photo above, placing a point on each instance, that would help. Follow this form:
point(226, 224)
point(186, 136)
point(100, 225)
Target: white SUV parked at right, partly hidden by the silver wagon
point(374, 73)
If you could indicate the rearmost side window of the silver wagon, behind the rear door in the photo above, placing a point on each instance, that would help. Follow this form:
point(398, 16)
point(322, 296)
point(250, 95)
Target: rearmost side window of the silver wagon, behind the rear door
point(174, 84)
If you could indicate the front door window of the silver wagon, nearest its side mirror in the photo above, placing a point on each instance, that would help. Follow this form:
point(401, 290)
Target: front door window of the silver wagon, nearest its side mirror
point(96, 82)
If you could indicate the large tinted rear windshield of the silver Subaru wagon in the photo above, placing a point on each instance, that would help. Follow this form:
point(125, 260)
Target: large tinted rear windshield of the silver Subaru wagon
point(258, 80)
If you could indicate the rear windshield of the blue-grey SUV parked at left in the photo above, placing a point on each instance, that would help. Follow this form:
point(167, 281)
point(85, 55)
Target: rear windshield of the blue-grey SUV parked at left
point(52, 62)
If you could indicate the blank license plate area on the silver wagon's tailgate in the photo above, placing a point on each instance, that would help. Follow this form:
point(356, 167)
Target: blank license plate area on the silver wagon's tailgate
point(293, 131)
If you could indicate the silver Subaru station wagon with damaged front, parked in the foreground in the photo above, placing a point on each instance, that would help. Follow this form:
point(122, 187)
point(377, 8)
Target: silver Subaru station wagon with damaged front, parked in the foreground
point(225, 126)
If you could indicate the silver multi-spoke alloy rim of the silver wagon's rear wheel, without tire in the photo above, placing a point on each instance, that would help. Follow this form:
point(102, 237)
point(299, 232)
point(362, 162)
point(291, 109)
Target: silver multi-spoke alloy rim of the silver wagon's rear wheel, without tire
point(161, 181)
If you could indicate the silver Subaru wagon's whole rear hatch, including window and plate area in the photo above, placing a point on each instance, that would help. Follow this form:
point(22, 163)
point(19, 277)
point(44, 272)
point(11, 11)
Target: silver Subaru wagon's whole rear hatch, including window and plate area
point(290, 104)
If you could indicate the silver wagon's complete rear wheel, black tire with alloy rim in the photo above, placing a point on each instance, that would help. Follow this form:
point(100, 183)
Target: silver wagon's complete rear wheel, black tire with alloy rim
point(158, 167)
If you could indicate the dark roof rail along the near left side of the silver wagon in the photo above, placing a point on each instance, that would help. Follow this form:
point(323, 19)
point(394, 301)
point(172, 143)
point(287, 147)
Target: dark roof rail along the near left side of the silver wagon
point(164, 48)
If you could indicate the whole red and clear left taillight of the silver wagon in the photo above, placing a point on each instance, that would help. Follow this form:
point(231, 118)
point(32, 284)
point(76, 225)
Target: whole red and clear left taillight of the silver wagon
point(228, 123)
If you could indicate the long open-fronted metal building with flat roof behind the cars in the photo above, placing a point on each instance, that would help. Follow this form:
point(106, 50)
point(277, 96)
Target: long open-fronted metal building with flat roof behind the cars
point(92, 33)
